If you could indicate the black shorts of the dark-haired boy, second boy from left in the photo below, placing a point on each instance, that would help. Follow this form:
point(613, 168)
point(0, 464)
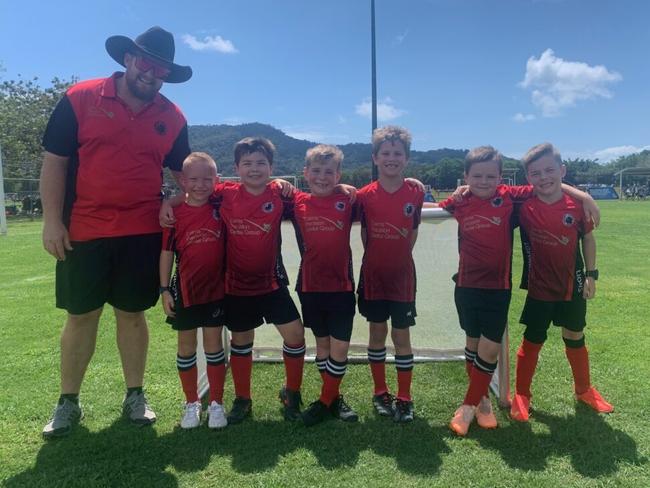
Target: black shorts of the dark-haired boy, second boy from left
point(248, 312)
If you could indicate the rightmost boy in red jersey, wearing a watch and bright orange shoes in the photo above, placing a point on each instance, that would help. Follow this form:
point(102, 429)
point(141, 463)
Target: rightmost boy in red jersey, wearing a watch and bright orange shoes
point(552, 227)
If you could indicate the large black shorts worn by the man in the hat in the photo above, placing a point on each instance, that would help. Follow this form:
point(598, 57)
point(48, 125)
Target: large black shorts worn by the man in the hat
point(121, 271)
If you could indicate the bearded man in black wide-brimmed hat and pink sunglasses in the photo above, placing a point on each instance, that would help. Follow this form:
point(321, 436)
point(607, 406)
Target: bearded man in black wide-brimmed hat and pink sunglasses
point(105, 146)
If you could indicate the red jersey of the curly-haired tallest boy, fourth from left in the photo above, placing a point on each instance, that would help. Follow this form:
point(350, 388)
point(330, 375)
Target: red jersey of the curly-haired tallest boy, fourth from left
point(389, 219)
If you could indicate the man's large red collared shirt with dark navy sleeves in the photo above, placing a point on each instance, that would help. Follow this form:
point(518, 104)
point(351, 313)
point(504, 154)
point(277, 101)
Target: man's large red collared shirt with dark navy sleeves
point(114, 176)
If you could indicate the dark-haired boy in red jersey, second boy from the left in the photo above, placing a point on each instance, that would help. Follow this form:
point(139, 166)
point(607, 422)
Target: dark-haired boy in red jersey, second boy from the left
point(256, 281)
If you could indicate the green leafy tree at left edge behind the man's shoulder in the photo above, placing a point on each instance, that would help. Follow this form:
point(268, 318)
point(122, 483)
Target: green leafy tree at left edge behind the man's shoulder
point(25, 108)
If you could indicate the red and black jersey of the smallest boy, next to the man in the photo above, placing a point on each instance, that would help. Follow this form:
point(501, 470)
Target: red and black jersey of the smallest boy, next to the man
point(197, 239)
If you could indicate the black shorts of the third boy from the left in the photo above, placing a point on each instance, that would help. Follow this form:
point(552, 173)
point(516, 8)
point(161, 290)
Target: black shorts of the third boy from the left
point(329, 314)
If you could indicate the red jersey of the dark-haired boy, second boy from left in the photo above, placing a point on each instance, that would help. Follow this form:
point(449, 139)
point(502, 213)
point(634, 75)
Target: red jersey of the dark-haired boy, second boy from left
point(253, 258)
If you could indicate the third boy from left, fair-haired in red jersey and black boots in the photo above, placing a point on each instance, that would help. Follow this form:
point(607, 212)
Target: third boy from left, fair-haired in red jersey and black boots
point(322, 220)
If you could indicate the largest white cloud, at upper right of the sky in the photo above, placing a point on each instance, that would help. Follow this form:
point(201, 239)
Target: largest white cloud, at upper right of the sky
point(557, 84)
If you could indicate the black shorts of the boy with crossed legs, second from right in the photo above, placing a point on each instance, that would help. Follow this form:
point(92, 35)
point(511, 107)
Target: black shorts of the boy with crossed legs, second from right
point(482, 312)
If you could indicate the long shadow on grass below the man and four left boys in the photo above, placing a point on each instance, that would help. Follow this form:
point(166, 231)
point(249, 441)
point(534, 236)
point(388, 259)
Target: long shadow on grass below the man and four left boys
point(125, 455)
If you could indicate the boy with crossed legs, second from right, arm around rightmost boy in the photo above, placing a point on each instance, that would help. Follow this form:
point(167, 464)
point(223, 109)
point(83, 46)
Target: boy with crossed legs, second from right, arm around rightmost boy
point(486, 219)
